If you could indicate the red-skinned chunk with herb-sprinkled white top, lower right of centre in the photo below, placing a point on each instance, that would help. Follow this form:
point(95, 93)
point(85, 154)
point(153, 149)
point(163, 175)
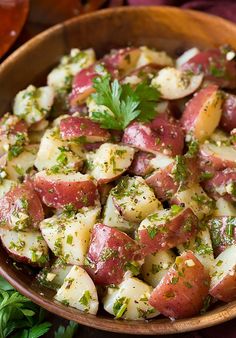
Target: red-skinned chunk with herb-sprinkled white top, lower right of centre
point(166, 229)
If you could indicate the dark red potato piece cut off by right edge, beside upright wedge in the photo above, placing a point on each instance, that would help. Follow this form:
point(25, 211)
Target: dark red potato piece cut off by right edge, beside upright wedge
point(228, 118)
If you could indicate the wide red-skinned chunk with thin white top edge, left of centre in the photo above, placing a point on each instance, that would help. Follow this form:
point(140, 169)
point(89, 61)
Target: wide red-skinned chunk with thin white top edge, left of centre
point(59, 190)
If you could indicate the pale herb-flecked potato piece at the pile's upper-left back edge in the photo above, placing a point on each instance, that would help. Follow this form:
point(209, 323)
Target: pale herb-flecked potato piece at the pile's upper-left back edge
point(60, 78)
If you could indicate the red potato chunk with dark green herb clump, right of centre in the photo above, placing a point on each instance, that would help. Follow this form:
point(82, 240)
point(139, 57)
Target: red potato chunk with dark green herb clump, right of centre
point(167, 180)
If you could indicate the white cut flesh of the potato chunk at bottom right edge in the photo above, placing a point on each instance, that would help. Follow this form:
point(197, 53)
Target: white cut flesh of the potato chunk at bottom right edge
point(225, 264)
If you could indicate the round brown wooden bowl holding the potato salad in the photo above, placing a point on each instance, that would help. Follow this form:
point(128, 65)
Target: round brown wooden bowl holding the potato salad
point(165, 28)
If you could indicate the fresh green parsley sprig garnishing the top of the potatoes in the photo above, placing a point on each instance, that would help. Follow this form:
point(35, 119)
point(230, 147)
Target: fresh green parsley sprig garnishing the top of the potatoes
point(123, 102)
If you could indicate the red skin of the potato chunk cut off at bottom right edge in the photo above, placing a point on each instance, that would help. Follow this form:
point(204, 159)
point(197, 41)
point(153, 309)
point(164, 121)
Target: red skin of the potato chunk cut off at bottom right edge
point(225, 290)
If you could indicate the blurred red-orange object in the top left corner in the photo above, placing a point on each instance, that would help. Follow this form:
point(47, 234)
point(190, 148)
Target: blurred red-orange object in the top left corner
point(13, 14)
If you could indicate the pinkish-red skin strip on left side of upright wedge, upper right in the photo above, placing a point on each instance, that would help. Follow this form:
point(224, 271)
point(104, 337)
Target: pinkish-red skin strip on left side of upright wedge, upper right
point(194, 106)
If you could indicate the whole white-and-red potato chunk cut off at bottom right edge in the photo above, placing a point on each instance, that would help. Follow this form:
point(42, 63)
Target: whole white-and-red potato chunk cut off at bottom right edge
point(223, 282)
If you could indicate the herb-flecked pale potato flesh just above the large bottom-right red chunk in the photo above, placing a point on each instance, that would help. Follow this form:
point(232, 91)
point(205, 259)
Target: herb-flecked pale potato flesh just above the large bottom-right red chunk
point(201, 246)
